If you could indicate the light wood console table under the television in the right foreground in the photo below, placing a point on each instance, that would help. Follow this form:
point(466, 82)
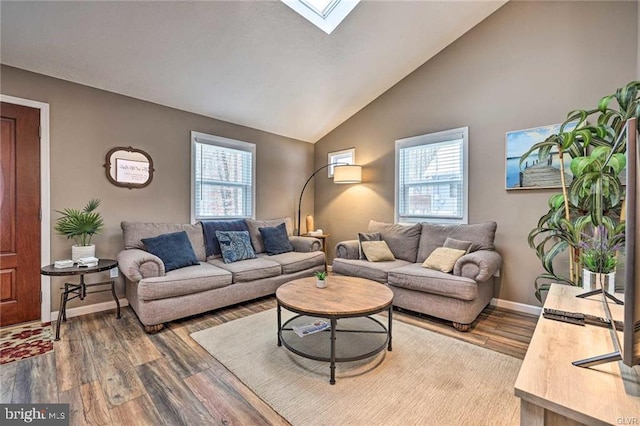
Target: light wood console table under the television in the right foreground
point(554, 392)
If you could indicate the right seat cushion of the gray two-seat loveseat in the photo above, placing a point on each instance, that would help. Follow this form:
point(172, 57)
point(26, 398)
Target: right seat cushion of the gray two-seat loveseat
point(415, 277)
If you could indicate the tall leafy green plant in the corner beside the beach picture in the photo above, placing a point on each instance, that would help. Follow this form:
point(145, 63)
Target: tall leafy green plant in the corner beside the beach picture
point(594, 196)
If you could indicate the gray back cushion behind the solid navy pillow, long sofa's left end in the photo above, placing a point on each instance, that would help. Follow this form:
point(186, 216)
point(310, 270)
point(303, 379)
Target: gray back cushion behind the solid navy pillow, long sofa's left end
point(134, 232)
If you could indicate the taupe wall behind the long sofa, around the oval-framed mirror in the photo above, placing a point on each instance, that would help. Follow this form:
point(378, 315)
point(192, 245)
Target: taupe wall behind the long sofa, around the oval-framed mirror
point(86, 123)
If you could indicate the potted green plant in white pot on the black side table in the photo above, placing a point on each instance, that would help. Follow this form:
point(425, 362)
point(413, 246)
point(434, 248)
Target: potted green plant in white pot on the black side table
point(81, 226)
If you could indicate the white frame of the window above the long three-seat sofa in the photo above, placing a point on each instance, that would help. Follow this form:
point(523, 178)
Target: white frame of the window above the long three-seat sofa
point(203, 138)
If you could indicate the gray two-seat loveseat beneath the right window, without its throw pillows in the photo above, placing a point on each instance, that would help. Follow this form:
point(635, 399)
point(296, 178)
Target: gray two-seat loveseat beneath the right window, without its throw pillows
point(458, 296)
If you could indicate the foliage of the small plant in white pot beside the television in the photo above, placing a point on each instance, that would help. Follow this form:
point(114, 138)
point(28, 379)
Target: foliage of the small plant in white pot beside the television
point(599, 250)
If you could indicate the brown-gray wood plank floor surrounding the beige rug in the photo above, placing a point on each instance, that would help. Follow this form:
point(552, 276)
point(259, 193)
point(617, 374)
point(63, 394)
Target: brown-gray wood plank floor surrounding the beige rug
point(112, 373)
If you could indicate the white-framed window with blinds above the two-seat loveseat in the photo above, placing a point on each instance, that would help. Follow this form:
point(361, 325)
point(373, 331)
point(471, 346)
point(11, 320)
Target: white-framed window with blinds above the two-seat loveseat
point(431, 177)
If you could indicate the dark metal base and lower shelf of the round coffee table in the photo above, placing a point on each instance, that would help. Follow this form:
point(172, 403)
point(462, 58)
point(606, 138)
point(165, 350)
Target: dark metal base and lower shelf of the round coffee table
point(364, 337)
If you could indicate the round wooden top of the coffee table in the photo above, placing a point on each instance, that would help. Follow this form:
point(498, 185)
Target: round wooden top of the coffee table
point(343, 296)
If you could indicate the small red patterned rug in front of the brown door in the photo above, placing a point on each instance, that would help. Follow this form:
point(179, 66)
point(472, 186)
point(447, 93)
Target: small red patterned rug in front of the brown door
point(25, 341)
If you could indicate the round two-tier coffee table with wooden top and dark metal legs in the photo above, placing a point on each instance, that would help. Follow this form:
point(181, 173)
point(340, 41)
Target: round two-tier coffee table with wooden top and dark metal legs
point(347, 302)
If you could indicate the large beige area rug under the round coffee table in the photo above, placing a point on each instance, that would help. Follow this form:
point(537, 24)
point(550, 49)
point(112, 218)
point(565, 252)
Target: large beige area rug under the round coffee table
point(428, 379)
